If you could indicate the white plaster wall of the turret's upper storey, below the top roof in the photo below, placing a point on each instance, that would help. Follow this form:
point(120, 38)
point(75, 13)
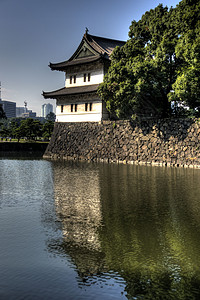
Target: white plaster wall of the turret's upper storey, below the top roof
point(95, 78)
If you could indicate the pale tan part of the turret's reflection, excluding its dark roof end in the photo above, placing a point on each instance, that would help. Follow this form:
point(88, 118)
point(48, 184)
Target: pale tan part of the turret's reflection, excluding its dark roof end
point(77, 200)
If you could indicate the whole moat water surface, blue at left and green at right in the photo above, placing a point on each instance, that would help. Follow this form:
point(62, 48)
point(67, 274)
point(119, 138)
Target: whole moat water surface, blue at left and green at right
point(71, 230)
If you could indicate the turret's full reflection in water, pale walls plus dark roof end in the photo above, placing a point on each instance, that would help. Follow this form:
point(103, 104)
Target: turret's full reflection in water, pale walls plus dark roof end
point(78, 207)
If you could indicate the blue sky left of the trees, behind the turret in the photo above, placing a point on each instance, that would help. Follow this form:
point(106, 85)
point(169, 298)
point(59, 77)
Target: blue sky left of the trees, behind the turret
point(34, 33)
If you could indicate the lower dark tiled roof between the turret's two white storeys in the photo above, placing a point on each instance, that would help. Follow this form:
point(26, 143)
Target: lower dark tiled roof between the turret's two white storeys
point(71, 91)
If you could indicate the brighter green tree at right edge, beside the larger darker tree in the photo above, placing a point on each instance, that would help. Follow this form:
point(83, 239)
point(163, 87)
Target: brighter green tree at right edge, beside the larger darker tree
point(186, 88)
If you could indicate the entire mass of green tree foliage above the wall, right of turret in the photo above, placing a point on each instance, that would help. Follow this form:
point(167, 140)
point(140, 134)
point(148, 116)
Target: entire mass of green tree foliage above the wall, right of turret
point(158, 64)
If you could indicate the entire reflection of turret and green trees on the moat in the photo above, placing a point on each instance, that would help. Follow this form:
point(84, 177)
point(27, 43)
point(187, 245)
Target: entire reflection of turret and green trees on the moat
point(141, 223)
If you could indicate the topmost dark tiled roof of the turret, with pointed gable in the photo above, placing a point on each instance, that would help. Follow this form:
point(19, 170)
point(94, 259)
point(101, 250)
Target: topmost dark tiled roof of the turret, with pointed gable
point(102, 48)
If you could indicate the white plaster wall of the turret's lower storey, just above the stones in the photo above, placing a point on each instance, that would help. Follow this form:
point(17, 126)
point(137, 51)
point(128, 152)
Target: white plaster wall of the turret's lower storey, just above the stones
point(81, 115)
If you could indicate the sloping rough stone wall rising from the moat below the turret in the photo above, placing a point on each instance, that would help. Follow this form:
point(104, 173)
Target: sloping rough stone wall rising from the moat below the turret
point(169, 142)
